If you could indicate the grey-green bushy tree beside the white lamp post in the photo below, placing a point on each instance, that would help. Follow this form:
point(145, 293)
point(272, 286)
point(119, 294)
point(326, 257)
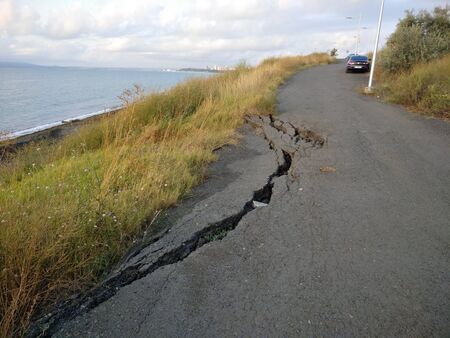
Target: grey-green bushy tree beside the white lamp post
point(420, 37)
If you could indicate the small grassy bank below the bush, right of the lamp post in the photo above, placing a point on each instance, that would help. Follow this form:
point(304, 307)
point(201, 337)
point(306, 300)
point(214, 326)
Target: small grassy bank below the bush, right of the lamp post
point(424, 89)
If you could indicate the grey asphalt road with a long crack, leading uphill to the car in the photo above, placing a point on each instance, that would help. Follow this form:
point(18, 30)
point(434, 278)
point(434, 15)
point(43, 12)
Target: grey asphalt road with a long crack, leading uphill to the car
point(359, 248)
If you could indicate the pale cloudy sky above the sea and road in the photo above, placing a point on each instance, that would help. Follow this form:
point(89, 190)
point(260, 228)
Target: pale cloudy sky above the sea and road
point(185, 33)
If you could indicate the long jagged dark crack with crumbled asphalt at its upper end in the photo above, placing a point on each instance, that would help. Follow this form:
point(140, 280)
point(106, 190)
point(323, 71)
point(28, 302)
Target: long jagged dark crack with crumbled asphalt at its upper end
point(285, 139)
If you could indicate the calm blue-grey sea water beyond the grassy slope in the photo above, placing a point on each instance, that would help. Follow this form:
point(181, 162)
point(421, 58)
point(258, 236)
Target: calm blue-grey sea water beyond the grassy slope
point(35, 96)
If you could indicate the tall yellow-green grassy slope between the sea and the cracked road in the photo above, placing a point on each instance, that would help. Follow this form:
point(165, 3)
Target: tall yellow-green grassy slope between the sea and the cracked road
point(69, 210)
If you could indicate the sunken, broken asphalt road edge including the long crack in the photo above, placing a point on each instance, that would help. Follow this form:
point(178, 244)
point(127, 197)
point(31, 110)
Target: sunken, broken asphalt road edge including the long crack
point(271, 148)
